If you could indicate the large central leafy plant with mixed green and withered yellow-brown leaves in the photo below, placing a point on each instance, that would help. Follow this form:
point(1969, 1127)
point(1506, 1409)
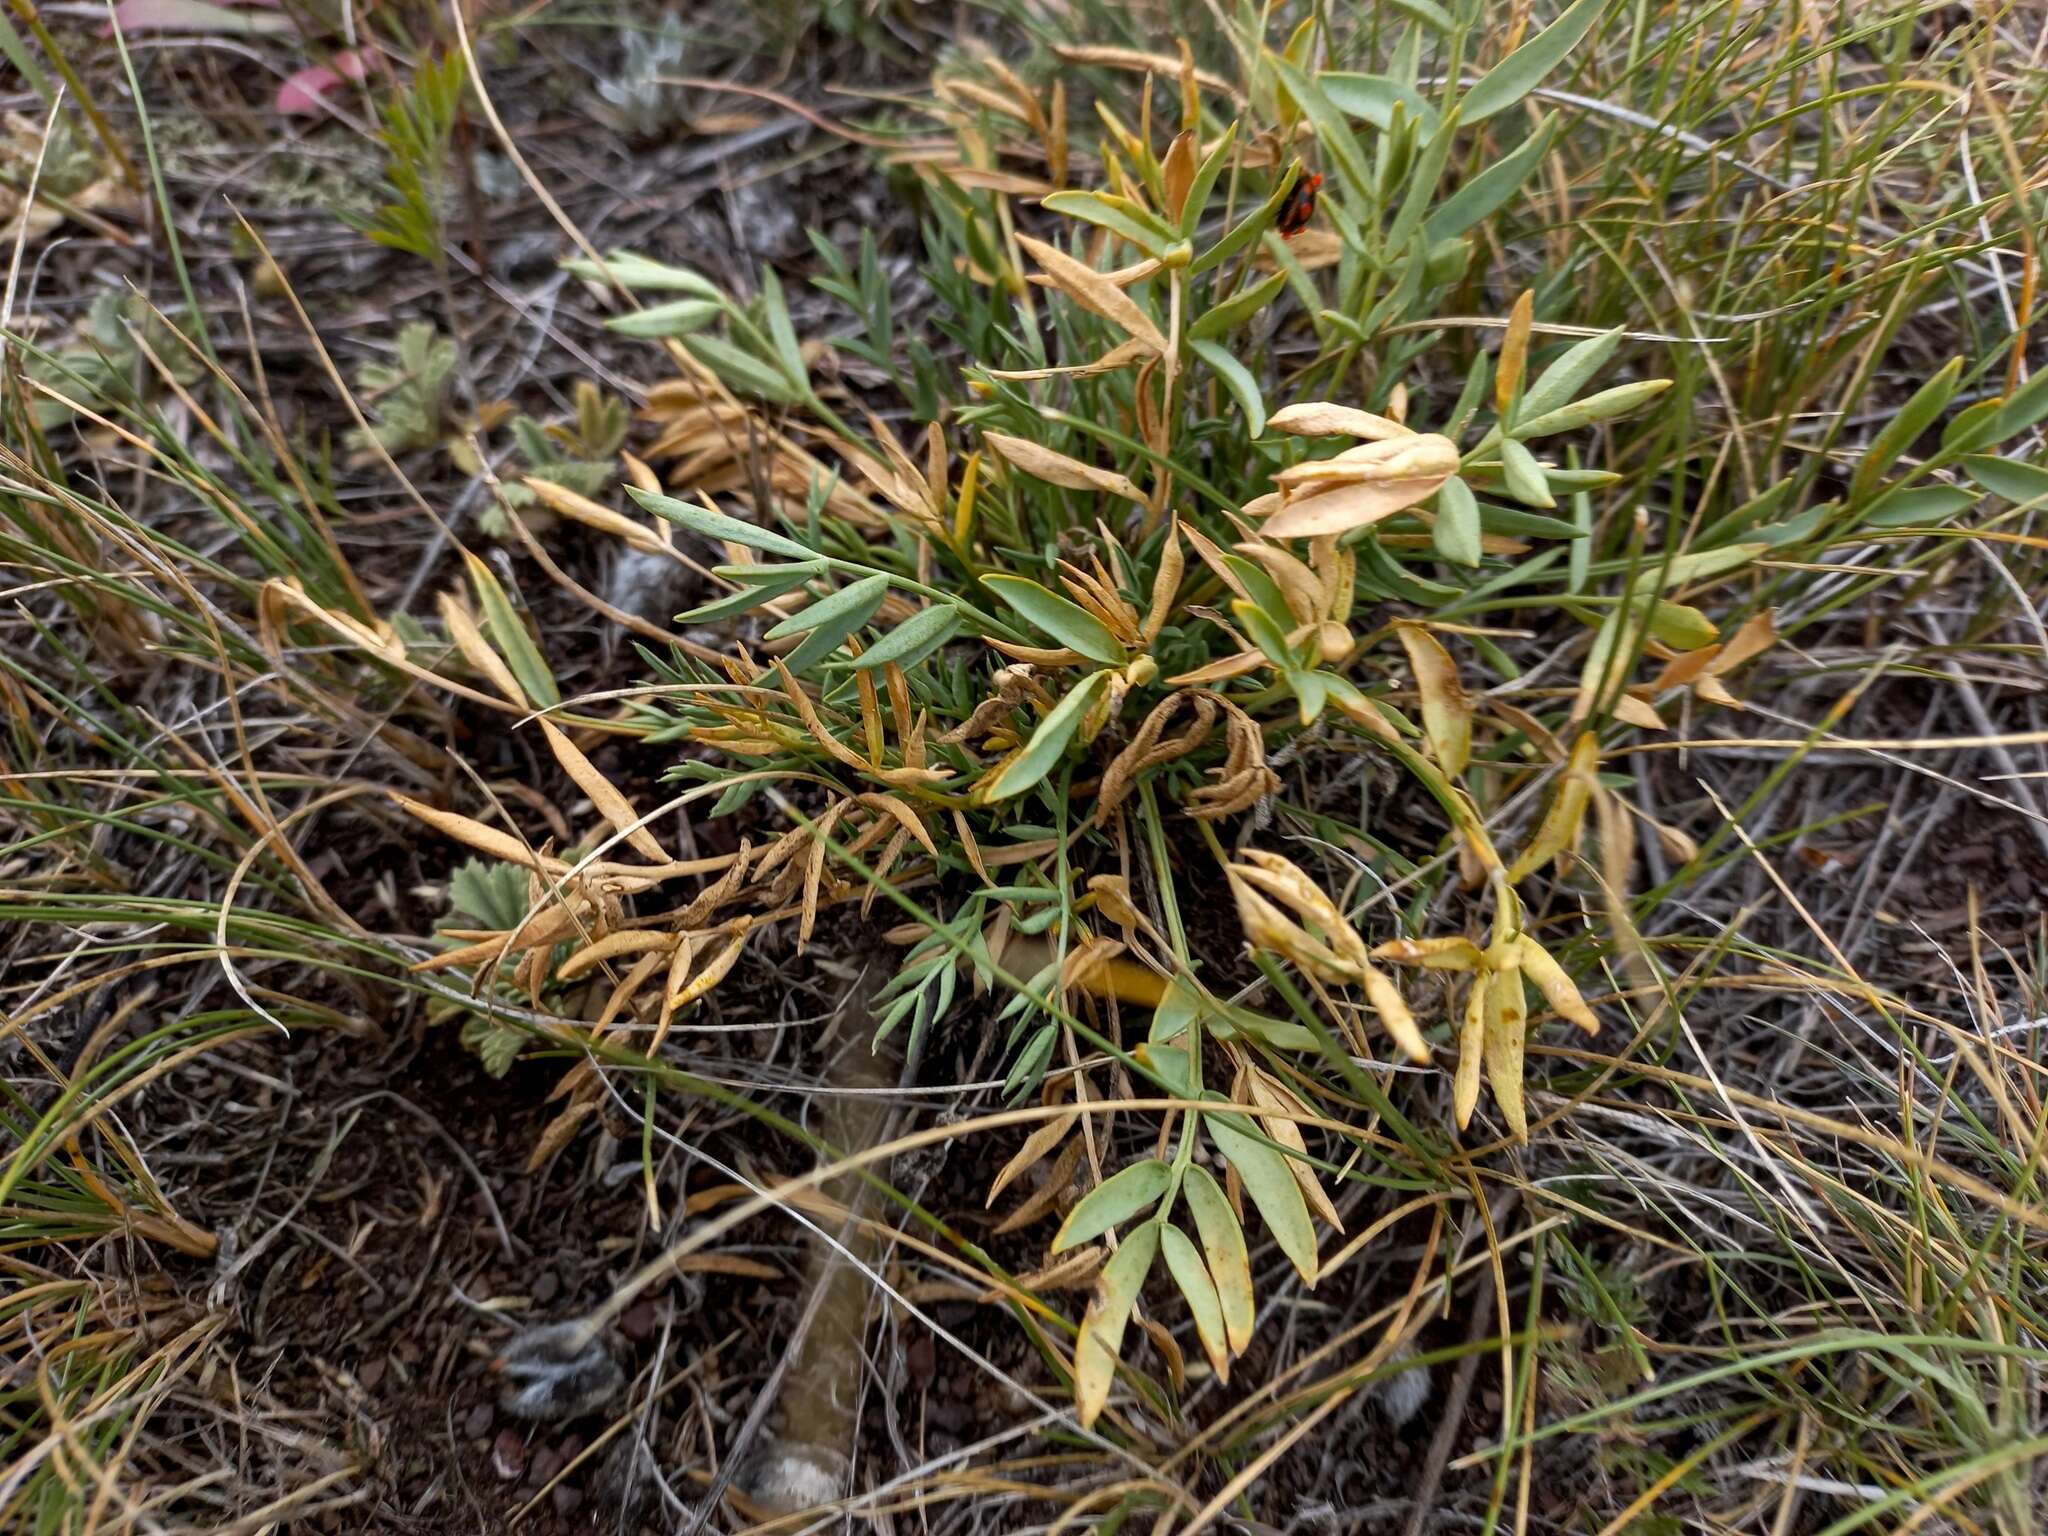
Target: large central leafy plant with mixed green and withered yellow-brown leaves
point(1140, 558)
